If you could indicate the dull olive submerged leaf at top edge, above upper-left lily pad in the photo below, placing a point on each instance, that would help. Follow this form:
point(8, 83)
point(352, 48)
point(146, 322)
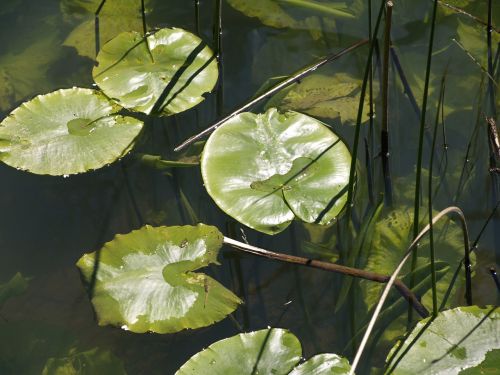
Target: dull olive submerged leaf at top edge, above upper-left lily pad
point(116, 16)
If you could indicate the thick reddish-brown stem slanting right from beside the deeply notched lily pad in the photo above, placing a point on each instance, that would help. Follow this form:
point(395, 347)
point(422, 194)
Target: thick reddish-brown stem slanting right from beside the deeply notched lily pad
point(331, 267)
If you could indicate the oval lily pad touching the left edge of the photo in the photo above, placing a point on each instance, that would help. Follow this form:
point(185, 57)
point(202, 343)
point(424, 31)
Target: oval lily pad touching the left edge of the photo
point(66, 132)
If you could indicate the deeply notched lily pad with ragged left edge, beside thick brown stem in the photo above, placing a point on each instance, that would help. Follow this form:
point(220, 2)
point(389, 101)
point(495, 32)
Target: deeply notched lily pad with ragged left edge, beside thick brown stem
point(144, 280)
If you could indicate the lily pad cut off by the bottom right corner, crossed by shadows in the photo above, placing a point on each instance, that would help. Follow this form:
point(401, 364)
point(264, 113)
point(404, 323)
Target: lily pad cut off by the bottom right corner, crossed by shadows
point(455, 340)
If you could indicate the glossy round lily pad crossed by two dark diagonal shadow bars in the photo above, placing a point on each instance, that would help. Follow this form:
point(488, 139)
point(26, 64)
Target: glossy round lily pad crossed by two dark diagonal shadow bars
point(168, 72)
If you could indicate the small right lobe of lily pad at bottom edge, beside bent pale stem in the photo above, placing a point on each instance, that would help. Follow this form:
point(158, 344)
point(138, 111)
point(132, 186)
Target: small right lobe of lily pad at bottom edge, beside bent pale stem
point(323, 364)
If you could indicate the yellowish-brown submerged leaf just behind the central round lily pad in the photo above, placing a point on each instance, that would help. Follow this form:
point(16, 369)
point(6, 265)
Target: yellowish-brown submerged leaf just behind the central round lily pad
point(324, 96)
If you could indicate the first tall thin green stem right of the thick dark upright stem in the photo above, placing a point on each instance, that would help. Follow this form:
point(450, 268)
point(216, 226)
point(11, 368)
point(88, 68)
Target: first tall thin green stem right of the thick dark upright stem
point(416, 209)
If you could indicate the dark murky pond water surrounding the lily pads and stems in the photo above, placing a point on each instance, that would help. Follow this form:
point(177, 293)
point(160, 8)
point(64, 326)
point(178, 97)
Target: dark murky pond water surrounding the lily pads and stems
point(47, 223)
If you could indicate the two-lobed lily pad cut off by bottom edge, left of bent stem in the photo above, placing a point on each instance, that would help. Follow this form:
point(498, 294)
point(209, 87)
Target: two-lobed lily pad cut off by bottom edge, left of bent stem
point(269, 351)
